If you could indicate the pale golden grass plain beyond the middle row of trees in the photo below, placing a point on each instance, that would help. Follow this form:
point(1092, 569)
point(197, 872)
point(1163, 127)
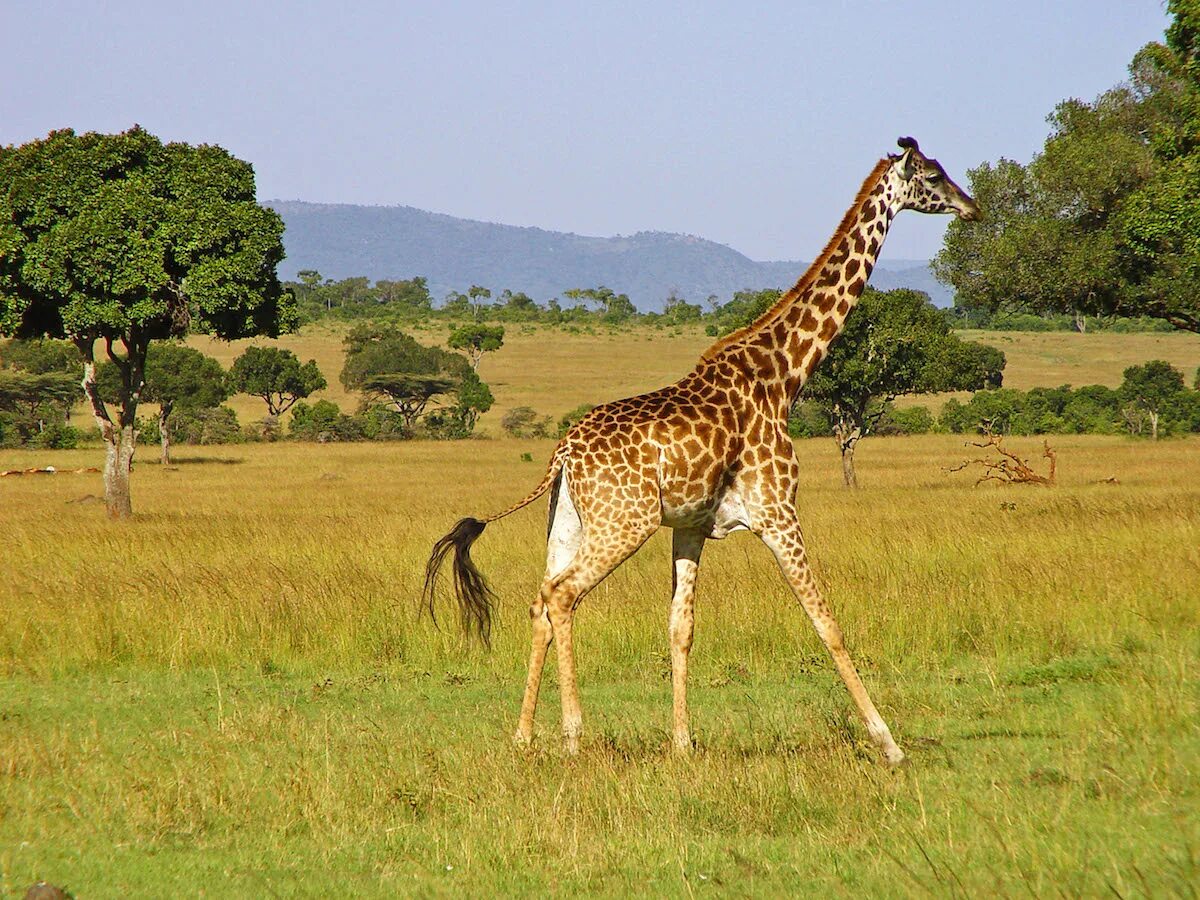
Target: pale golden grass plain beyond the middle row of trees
point(554, 370)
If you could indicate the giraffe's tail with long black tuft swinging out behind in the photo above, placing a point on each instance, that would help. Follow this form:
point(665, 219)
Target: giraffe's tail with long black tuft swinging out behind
point(476, 598)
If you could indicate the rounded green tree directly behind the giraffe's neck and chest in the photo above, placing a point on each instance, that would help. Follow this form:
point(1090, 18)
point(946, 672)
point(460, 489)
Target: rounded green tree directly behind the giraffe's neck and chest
point(896, 343)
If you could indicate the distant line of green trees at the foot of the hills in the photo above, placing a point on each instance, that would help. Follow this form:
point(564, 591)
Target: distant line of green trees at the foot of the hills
point(407, 302)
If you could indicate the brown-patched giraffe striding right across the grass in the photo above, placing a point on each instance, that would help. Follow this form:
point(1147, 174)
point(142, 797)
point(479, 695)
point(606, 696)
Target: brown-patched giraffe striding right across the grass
point(706, 457)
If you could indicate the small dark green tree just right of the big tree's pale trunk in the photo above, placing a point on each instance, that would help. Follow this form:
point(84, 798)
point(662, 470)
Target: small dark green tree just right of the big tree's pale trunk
point(177, 377)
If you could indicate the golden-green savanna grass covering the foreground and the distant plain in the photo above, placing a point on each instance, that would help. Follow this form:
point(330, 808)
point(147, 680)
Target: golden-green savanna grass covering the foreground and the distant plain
point(235, 695)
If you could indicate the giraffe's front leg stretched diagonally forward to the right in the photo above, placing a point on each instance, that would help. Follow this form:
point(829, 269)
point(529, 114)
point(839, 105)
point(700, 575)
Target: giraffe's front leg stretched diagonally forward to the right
point(788, 544)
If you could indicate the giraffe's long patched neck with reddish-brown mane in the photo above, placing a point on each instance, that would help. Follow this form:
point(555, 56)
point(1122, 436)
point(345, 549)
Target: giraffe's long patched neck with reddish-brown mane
point(787, 344)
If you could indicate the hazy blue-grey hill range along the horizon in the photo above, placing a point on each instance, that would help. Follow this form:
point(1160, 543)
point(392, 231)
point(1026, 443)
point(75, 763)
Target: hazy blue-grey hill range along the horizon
point(343, 241)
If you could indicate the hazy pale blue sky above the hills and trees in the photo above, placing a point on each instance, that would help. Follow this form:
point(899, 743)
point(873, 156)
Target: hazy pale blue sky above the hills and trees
point(749, 124)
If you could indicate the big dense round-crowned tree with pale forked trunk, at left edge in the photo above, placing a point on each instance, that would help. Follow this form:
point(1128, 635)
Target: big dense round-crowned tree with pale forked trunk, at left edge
point(123, 241)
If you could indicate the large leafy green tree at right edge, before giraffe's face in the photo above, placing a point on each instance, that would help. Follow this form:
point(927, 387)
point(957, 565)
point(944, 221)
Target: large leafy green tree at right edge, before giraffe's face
point(1106, 220)
